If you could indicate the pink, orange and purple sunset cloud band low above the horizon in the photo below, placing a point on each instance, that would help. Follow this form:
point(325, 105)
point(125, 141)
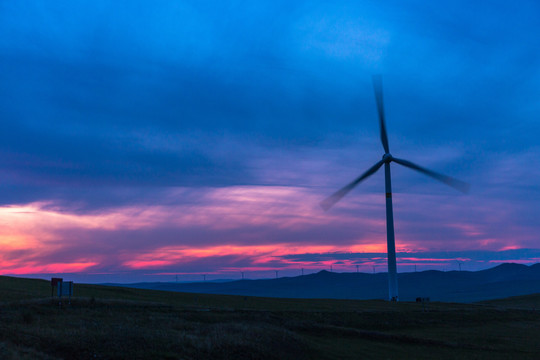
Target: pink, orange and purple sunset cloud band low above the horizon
point(244, 227)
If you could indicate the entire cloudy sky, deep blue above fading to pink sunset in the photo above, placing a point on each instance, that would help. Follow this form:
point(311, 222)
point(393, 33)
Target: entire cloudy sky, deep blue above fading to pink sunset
point(156, 141)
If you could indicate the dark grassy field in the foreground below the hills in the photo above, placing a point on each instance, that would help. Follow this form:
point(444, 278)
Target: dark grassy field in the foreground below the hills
point(122, 323)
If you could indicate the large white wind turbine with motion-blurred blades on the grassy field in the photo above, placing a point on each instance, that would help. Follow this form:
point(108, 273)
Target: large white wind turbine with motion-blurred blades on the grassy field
point(386, 160)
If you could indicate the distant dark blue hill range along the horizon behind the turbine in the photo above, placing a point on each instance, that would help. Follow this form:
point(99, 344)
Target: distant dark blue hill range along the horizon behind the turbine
point(454, 286)
